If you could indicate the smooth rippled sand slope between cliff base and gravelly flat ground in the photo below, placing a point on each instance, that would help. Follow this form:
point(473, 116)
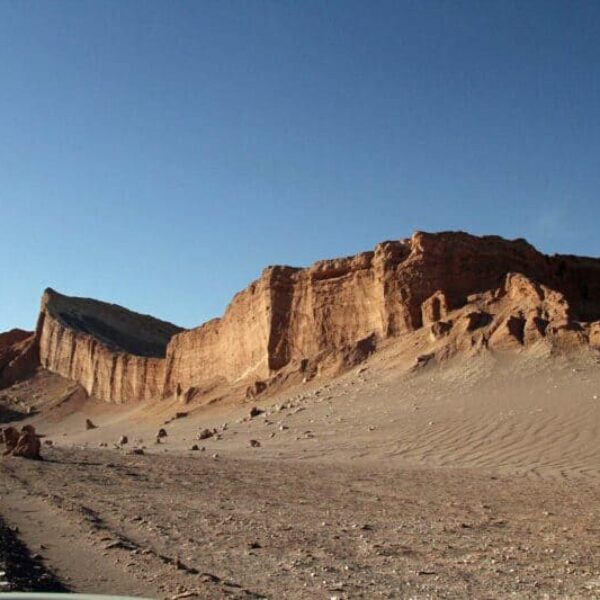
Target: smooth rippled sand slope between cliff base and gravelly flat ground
point(531, 414)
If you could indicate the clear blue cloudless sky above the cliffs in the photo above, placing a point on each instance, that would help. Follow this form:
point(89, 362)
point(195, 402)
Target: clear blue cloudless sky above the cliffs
point(160, 154)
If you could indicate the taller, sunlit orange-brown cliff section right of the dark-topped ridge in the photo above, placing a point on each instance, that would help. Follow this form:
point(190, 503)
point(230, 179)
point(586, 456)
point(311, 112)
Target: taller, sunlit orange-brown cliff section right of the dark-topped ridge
point(290, 316)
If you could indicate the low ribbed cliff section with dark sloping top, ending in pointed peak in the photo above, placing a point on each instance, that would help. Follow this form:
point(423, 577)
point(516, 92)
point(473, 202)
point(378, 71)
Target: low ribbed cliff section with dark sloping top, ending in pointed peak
point(115, 354)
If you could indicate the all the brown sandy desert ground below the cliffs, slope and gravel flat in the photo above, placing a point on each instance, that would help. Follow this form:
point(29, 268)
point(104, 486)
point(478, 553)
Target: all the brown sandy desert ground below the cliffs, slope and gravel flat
point(478, 478)
